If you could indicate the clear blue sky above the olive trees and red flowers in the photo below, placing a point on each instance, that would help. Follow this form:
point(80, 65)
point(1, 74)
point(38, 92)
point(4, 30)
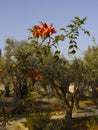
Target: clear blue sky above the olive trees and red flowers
point(16, 16)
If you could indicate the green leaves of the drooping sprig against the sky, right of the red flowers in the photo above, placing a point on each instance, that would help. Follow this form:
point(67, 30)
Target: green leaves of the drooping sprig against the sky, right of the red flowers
point(73, 33)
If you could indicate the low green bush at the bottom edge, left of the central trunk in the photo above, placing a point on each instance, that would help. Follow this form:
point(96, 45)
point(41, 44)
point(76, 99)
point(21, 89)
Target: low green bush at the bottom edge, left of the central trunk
point(42, 121)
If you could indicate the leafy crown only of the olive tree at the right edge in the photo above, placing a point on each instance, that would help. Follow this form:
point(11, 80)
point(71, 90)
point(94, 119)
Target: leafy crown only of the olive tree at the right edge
point(91, 64)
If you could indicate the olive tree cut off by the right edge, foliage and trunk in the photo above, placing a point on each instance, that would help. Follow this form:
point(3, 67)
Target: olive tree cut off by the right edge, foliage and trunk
point(91, 67)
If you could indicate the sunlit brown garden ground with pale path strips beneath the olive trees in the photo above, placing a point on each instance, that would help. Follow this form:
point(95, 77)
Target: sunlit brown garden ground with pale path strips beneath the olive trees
point(81, 118)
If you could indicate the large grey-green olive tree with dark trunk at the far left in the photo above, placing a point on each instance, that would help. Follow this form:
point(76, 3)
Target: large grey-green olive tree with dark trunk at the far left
point(19, 61)
